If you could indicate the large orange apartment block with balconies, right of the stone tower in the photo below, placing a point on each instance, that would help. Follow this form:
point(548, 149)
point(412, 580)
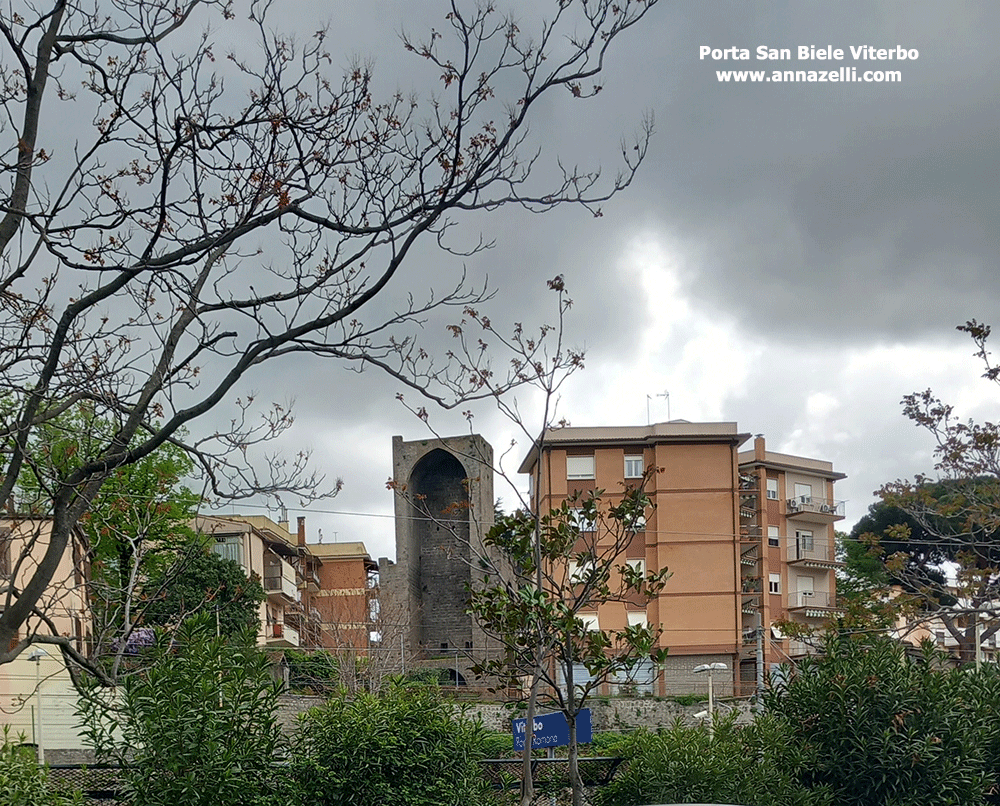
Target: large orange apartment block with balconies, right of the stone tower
point(726, 523)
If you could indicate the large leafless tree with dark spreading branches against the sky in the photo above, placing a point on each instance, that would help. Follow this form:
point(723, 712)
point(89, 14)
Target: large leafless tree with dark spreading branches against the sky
point(174, 218)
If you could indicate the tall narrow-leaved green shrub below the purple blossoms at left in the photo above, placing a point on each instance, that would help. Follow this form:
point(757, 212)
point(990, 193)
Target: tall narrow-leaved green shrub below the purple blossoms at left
point(197, 726)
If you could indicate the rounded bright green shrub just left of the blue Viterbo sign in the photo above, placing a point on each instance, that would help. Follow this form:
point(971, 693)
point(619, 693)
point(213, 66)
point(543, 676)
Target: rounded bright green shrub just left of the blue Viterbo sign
point(404, 747)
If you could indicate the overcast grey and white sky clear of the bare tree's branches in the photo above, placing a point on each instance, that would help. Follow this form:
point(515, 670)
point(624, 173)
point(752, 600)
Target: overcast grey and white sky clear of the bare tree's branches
point(794, 257)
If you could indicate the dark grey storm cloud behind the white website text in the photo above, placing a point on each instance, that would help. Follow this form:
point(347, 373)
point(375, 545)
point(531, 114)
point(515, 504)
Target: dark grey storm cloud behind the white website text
point(829, 203)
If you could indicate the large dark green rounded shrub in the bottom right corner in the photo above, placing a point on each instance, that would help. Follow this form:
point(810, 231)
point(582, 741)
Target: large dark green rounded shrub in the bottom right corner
point(882, 727)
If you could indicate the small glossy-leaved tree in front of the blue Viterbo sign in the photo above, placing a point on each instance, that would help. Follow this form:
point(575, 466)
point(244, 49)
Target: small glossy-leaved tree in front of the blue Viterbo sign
point(554, 570)
